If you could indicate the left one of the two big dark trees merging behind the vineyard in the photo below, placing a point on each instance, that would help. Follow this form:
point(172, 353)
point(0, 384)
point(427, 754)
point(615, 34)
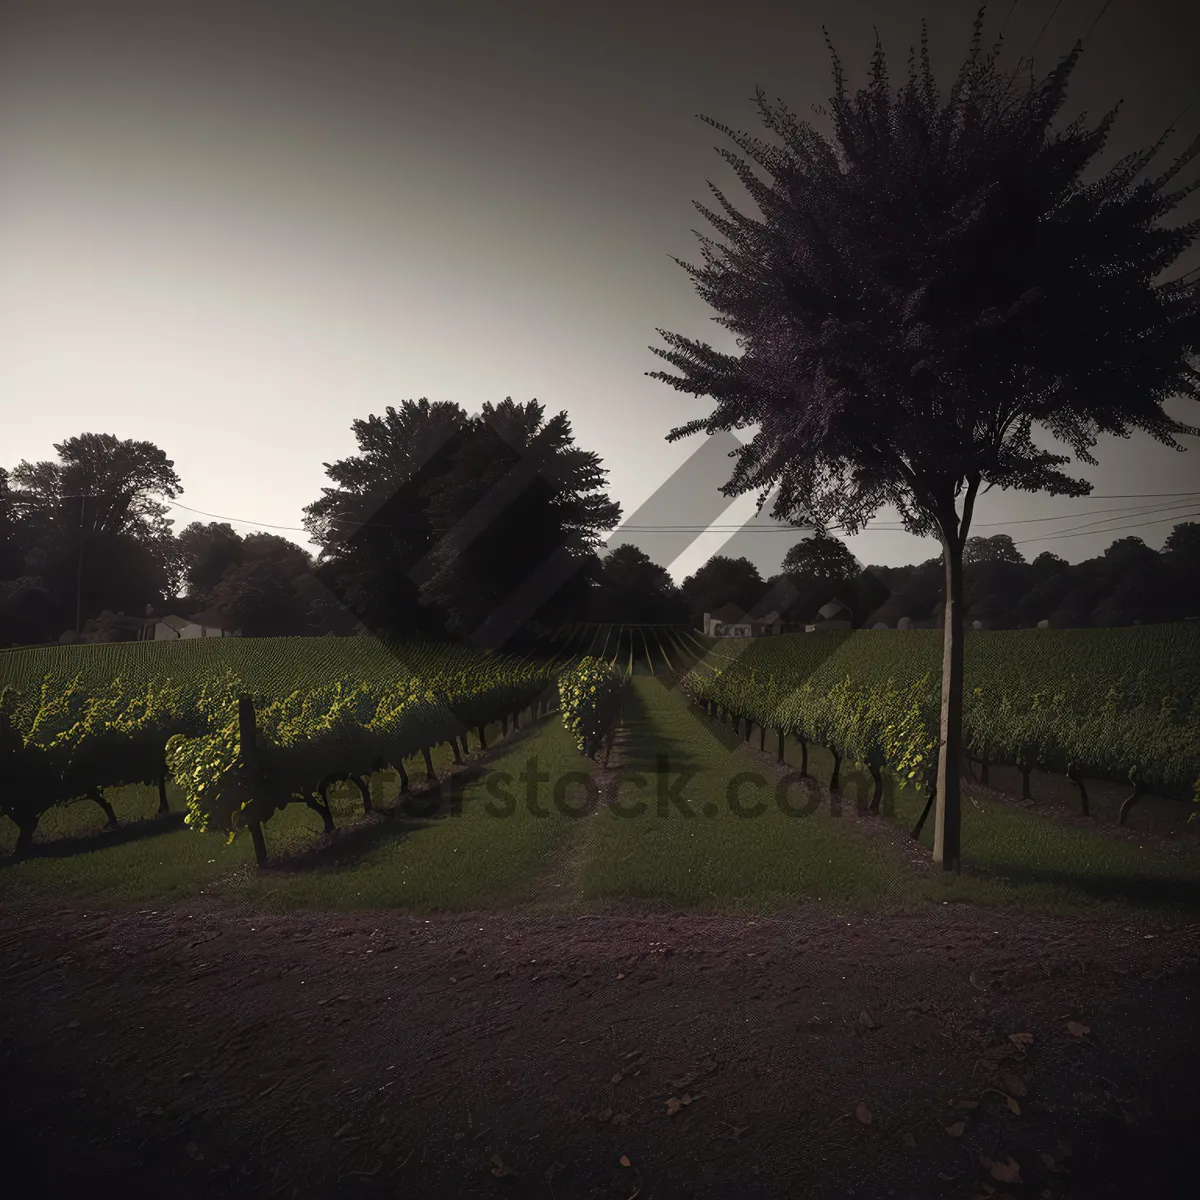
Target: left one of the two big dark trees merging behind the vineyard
point(374, 525)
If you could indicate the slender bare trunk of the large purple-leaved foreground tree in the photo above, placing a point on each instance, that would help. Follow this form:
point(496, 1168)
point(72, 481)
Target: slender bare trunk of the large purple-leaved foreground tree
point(949, 818)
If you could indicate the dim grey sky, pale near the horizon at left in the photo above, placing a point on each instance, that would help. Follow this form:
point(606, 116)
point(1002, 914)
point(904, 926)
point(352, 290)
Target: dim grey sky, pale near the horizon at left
point(233, 229)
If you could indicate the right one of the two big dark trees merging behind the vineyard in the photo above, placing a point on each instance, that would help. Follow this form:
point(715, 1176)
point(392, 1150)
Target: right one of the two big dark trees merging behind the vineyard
point(517, 521)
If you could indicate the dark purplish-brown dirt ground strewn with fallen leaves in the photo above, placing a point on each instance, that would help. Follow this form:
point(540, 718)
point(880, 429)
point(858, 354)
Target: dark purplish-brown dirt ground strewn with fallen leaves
point(205, 1054)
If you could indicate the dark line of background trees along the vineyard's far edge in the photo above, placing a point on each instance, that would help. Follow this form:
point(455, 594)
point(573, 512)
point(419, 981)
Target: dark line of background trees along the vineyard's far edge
point(440, 519)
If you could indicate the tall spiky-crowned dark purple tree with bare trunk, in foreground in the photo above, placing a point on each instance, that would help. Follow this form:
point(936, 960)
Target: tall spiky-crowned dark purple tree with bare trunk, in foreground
point(922, 291)
